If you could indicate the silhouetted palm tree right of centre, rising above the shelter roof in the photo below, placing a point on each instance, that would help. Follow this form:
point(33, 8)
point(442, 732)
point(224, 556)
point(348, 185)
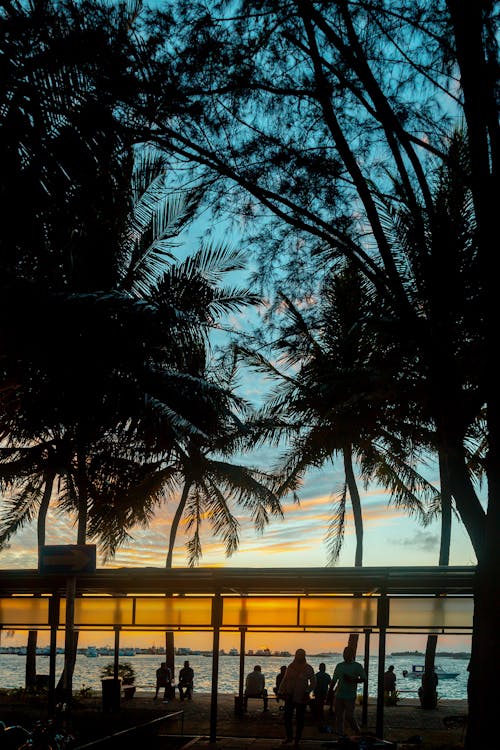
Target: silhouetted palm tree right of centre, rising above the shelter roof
point(331, 398)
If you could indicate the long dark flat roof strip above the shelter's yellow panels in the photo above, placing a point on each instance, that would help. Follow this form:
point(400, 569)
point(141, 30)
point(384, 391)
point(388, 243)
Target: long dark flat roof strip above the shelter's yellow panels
point(409, 580)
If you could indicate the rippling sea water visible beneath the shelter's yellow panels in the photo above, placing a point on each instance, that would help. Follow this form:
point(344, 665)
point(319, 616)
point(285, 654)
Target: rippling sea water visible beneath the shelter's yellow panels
point(88, 671)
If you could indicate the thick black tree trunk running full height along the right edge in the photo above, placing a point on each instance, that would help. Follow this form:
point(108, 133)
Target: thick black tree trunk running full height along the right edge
point(479, 83)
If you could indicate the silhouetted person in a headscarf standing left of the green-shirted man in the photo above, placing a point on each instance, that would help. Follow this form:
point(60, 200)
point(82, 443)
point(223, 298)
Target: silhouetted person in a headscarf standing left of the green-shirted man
point(295, 688)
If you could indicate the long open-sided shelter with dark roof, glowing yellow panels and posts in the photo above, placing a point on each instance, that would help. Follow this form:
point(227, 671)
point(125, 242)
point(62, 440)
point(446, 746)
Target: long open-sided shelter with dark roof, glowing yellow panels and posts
point(369, 601)
